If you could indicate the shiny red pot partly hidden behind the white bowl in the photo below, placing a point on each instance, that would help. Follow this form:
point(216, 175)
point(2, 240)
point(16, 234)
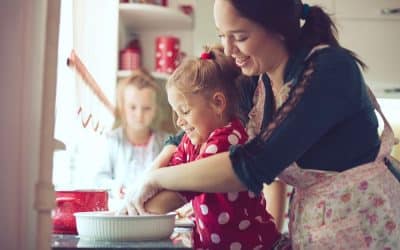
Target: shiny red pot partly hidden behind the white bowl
point(72, 201)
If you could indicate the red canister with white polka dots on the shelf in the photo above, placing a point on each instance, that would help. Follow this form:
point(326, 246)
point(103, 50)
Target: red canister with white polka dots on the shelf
point(167, 54)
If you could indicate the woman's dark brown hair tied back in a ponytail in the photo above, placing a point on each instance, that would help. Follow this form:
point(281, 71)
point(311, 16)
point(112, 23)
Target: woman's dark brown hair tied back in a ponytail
point(283, 17)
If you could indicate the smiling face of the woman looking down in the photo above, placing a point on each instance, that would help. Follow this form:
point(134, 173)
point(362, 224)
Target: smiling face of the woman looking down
point(254, 49)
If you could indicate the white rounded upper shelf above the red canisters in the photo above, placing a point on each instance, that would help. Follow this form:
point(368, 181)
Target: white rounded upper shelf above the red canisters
point(137, 17)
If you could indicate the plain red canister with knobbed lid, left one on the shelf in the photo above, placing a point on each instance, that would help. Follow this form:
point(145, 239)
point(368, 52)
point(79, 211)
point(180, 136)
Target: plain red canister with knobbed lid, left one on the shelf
point(130, 57)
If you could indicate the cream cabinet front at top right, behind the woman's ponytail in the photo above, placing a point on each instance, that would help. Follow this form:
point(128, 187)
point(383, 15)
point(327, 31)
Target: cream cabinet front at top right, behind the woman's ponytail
point(372, 29)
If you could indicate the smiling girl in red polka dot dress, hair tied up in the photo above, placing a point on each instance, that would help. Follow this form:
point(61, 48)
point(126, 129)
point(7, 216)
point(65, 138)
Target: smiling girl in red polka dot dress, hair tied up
point(201, 94)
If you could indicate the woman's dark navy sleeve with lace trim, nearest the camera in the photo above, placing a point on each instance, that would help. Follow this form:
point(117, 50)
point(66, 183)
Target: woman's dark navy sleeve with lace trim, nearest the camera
point(330, 96)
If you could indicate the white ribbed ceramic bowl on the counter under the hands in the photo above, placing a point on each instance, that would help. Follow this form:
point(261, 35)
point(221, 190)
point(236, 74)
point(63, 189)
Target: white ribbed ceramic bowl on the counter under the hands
point(107, 226)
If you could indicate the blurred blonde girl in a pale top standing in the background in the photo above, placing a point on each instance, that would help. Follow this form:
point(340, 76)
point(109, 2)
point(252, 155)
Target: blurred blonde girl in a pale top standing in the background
point(133, 144)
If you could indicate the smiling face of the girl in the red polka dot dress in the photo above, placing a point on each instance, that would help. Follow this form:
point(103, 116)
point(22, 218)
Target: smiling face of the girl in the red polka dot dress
point(195, 115)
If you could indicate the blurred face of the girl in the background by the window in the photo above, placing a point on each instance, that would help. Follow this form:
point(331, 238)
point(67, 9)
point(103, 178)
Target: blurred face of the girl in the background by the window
point(139, 107)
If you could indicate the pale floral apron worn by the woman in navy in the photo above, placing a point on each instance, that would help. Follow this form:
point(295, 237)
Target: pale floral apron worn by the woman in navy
point(355, 209)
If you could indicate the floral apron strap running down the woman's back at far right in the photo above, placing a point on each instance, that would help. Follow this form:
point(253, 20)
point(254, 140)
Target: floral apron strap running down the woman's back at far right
point(387, 138)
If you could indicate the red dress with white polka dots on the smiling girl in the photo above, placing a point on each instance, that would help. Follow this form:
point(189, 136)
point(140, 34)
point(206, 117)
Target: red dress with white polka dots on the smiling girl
point(236, 220)
